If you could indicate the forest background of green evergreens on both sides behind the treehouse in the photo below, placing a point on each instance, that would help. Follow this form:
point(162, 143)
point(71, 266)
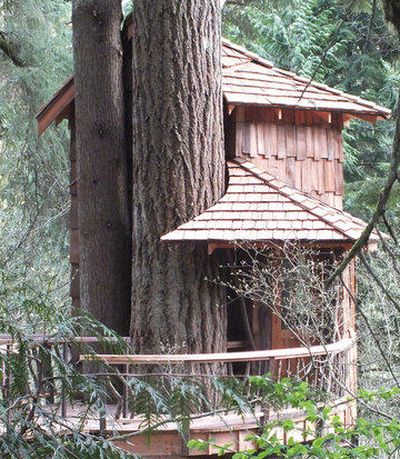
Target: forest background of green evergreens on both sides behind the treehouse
point(345, 44)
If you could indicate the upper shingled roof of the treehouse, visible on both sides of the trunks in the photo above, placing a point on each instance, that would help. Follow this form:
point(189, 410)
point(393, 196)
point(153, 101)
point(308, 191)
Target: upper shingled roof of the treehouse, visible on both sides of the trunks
point(249, 79)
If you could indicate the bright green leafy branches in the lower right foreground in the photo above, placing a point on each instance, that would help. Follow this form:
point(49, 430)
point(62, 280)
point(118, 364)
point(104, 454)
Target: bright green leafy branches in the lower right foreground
point(328, 437)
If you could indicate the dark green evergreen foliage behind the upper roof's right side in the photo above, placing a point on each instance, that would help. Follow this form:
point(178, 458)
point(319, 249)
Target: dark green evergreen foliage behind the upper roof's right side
point(346, 45)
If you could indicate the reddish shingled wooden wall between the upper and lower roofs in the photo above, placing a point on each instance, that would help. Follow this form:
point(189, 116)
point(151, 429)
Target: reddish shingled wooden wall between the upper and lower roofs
point(302, 148)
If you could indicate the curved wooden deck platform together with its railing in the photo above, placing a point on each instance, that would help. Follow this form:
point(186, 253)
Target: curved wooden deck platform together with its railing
point(329, 368)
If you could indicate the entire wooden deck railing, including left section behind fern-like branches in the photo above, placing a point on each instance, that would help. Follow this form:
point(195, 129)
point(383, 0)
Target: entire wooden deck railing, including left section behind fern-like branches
point(325, 367)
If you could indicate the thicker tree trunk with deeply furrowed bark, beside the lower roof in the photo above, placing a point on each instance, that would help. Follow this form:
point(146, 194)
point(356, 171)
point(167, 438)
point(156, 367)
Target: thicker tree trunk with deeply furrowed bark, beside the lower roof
point(178, 172)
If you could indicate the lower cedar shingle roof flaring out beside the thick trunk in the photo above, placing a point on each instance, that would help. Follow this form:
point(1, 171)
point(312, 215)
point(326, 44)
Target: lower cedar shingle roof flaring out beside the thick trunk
point(259, 207)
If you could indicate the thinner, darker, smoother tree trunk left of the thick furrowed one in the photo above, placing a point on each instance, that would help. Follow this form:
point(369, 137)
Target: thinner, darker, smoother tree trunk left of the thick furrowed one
point(104, 214)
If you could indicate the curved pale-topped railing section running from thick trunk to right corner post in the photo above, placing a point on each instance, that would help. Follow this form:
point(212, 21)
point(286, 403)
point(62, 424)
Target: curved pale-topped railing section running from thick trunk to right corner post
point(329, 368)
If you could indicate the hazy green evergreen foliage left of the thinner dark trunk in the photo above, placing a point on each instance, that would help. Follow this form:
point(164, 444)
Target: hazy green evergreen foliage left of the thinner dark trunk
point(34, 199)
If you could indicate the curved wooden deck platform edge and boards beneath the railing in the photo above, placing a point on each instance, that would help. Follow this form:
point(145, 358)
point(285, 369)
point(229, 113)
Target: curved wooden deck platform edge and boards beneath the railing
point(230, 428)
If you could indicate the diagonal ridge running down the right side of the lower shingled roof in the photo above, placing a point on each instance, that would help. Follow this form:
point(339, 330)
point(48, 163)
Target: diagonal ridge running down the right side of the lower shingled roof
point(260, 173)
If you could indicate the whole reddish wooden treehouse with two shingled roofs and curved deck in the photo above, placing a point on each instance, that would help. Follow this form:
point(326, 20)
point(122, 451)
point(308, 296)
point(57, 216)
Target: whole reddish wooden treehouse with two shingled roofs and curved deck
point(284, 154)
